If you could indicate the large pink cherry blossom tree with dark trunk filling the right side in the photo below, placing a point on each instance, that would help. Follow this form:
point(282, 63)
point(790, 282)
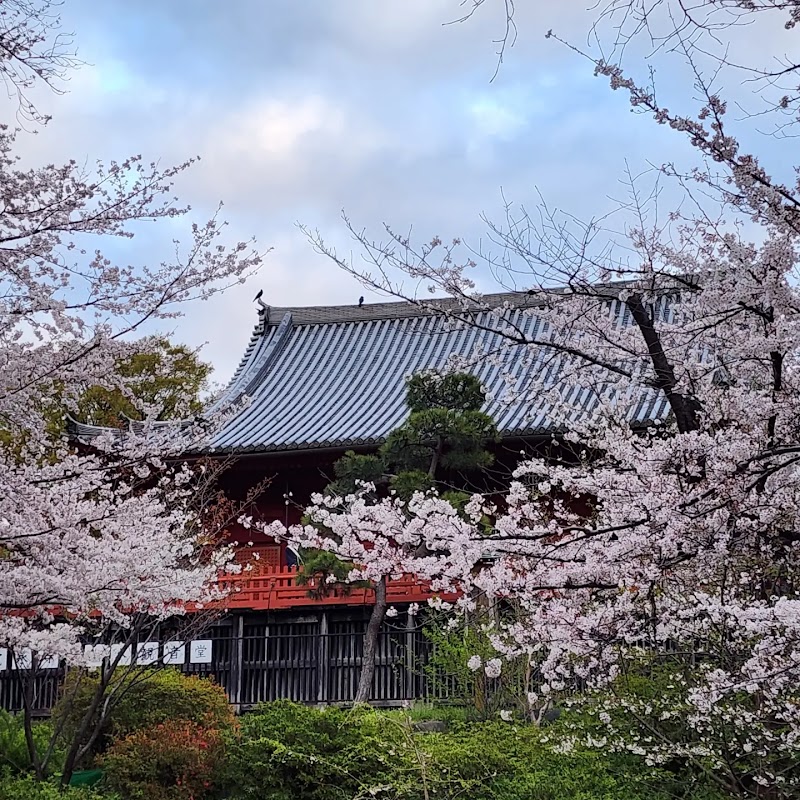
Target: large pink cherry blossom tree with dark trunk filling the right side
point(668, 351)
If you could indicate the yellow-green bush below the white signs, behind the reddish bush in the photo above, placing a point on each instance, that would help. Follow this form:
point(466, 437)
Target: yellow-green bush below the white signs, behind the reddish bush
point(147, 698)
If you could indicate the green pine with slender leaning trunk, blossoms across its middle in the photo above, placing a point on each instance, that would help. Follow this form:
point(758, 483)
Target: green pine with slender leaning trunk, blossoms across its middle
point(354, 533)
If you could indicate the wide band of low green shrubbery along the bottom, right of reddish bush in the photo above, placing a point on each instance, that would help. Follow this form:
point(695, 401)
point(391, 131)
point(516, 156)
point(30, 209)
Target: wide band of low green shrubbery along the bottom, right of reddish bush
point(290, 752)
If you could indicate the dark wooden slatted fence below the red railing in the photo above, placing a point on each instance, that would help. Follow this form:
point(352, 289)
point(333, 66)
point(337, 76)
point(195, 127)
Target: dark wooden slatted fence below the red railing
point(313, 660)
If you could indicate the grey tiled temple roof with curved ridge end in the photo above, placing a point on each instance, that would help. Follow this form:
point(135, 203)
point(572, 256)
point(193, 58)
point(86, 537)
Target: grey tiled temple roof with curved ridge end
point(334, 376)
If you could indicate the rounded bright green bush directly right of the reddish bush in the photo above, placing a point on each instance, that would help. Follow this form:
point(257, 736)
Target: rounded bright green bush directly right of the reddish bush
point(287, 751)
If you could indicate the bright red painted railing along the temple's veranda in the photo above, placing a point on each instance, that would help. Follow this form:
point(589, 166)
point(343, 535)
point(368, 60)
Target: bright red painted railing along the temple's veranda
point(277, 588)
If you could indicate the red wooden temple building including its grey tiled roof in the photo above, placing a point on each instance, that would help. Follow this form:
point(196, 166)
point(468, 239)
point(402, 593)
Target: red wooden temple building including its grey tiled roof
point(323, 380)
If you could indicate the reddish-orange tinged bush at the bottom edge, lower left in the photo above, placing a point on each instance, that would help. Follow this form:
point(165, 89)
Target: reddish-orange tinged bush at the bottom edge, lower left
point(175, 760)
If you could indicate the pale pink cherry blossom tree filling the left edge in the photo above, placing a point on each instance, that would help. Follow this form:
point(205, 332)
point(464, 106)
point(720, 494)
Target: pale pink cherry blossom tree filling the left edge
point(117, 534)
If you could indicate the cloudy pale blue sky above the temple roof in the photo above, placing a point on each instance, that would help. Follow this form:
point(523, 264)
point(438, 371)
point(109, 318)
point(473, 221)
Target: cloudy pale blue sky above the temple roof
point(300, 109)
